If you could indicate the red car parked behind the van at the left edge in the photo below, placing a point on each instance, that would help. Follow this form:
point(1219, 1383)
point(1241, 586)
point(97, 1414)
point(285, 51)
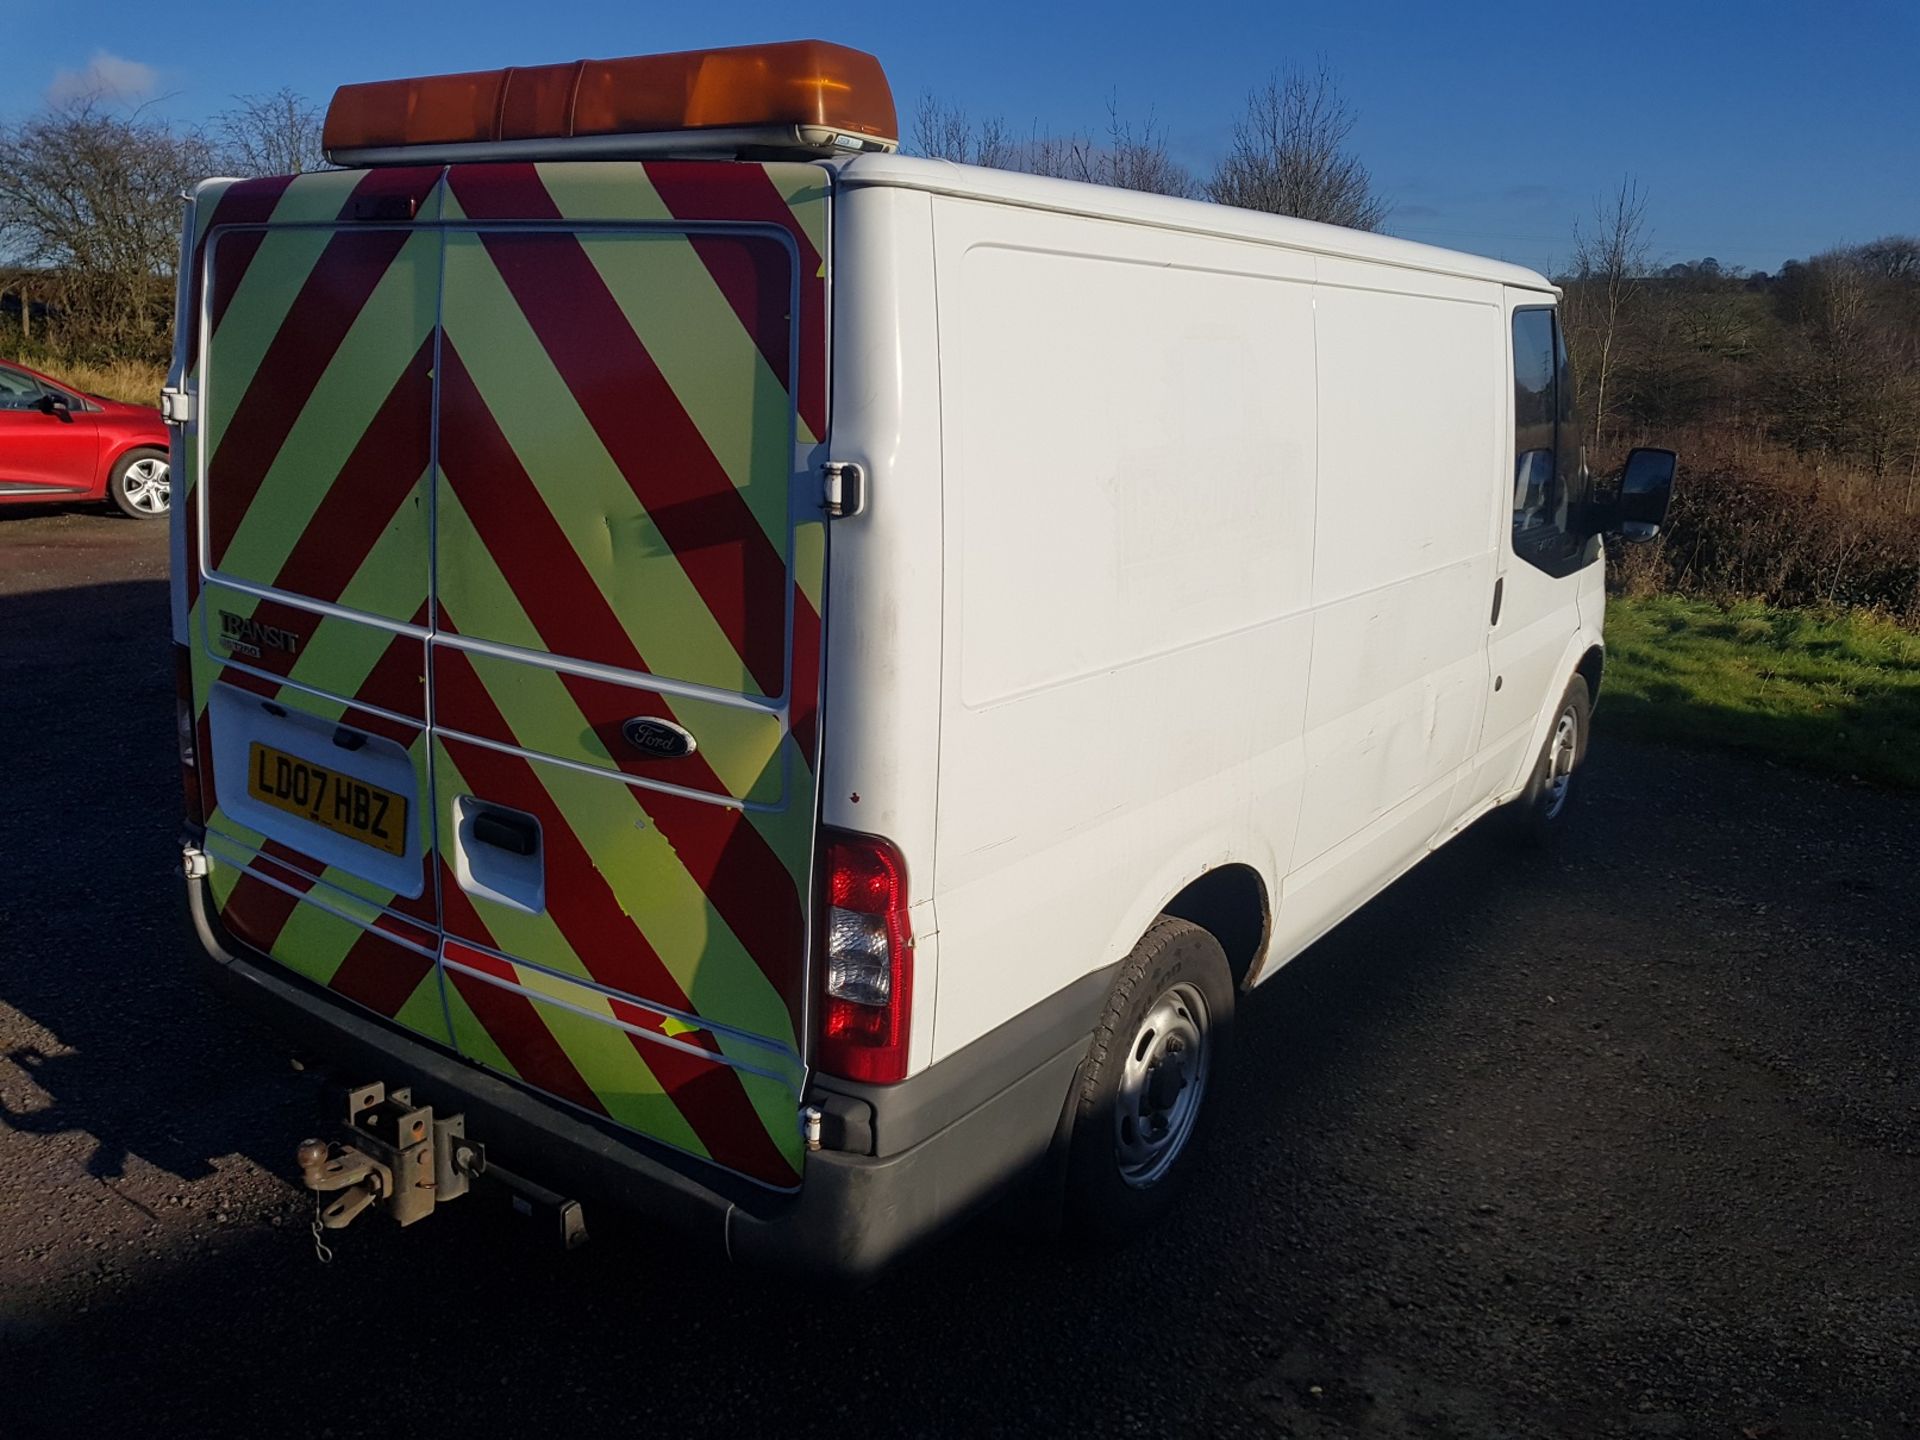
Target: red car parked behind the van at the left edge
point(59, 444)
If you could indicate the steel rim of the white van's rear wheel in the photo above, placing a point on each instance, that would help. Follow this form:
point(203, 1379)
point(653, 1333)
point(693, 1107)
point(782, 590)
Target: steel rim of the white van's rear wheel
point(1161, 1086)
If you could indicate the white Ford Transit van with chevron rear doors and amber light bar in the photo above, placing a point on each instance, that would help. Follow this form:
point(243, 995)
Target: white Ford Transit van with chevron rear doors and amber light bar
point(1153, 583)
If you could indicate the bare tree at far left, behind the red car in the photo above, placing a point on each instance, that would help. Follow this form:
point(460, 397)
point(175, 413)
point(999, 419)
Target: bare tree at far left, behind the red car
point(93, 203)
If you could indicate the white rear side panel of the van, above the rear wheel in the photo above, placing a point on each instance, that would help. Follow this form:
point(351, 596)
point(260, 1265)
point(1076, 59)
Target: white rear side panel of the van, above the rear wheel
point(1130, 439)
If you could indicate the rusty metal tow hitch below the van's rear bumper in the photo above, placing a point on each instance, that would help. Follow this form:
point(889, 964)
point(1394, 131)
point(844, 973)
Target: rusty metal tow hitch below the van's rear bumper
point(396, 1155)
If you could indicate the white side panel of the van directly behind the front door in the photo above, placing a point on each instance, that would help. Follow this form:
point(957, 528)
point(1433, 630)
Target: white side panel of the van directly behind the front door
point(1410, 400)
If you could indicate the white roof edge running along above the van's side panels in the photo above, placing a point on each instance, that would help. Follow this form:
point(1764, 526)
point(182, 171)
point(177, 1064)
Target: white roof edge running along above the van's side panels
point(1166, 212)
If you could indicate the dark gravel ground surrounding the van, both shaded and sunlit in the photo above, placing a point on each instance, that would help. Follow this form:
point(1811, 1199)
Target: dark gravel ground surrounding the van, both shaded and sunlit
point(1618, 1143)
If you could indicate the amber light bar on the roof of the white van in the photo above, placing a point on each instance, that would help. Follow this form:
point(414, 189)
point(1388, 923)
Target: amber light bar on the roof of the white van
point(800, 95)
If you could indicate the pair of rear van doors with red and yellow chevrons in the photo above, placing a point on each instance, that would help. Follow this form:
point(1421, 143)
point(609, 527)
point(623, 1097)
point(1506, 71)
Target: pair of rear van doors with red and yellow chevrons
point(510, 619)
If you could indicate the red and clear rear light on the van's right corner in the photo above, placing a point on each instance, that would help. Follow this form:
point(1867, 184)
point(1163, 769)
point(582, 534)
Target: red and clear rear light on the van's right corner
point(867, 961)
